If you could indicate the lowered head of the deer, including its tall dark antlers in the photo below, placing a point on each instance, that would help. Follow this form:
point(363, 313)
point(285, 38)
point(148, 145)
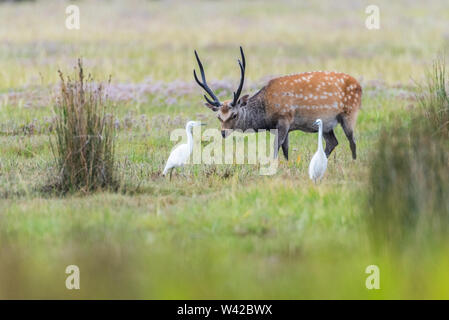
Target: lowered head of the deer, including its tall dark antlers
point(228, 110)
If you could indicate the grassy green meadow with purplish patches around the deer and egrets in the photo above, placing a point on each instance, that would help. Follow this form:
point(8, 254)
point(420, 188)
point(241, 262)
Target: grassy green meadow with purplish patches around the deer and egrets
point(214, 231)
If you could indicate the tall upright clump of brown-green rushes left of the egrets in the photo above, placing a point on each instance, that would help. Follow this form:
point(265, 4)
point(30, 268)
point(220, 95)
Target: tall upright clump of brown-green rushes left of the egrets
point(83, 144)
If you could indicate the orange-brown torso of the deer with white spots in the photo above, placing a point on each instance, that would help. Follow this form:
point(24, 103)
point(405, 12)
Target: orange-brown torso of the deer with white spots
point(302, 98)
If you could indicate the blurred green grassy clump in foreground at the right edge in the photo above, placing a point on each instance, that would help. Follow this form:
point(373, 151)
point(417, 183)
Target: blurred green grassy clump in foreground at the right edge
point(409, 178)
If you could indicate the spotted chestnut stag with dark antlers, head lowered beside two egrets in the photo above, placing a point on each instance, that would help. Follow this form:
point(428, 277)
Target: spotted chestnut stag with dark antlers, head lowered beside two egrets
point(288, 103)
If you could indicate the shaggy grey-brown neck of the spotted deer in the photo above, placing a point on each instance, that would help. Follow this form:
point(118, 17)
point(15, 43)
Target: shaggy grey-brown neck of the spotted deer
point(252, 115)
